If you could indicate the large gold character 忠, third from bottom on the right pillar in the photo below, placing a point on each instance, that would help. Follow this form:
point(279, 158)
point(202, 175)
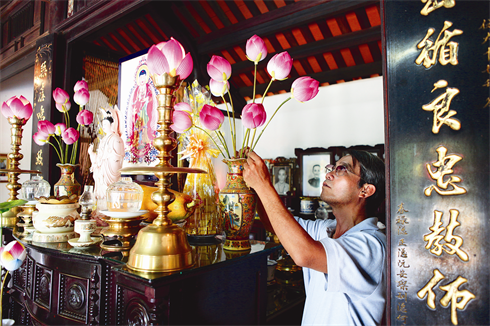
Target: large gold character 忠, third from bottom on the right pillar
point(444, 166)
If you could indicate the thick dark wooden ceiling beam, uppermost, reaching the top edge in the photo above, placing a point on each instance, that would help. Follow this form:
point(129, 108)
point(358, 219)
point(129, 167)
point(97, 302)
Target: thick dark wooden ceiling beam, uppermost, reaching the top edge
point(299, 13)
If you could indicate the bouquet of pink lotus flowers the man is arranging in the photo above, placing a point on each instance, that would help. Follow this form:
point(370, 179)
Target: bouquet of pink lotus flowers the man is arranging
point(253, 114)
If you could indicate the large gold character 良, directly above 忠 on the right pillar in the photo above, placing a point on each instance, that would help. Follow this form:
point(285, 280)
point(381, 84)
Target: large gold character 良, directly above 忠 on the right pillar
point(440, 106)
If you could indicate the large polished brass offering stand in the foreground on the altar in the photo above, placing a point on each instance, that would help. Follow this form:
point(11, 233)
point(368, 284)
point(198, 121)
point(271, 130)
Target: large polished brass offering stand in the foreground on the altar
point(162, 246)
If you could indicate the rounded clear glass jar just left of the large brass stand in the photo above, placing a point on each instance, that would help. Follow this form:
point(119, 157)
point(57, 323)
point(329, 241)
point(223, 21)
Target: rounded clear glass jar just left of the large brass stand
point(124, 196)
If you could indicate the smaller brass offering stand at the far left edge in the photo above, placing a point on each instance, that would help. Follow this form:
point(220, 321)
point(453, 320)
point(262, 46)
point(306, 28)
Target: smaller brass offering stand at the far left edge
point(9, 219)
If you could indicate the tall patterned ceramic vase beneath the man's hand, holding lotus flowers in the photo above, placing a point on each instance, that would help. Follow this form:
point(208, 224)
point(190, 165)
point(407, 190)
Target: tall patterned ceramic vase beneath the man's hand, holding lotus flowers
point(237, 205)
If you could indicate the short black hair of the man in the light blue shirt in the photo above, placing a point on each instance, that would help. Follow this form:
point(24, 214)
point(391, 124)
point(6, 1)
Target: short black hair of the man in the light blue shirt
point(372, 172)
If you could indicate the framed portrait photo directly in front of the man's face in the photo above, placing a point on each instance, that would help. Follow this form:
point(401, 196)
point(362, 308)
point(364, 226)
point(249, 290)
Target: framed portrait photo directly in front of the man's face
point(312, 162)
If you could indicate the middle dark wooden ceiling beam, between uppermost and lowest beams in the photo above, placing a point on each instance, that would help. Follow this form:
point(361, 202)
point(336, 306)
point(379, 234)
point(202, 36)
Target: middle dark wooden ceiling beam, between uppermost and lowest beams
point(331, 44)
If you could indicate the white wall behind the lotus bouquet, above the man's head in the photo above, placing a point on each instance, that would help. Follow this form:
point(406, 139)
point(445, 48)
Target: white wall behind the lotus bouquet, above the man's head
point(344, 114)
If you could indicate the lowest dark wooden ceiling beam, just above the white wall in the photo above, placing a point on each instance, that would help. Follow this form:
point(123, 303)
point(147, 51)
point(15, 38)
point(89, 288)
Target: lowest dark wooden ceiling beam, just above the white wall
point(330, 76)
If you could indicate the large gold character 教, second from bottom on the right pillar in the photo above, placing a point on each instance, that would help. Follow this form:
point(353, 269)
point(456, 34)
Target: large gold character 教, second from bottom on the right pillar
point(434, 238)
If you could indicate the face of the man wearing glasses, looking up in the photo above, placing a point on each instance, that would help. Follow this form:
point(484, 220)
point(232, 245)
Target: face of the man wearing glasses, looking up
point(342, 190)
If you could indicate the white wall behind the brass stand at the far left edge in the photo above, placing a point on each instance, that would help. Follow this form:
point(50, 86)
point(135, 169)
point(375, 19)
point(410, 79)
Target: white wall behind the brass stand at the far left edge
point(20, 84)
